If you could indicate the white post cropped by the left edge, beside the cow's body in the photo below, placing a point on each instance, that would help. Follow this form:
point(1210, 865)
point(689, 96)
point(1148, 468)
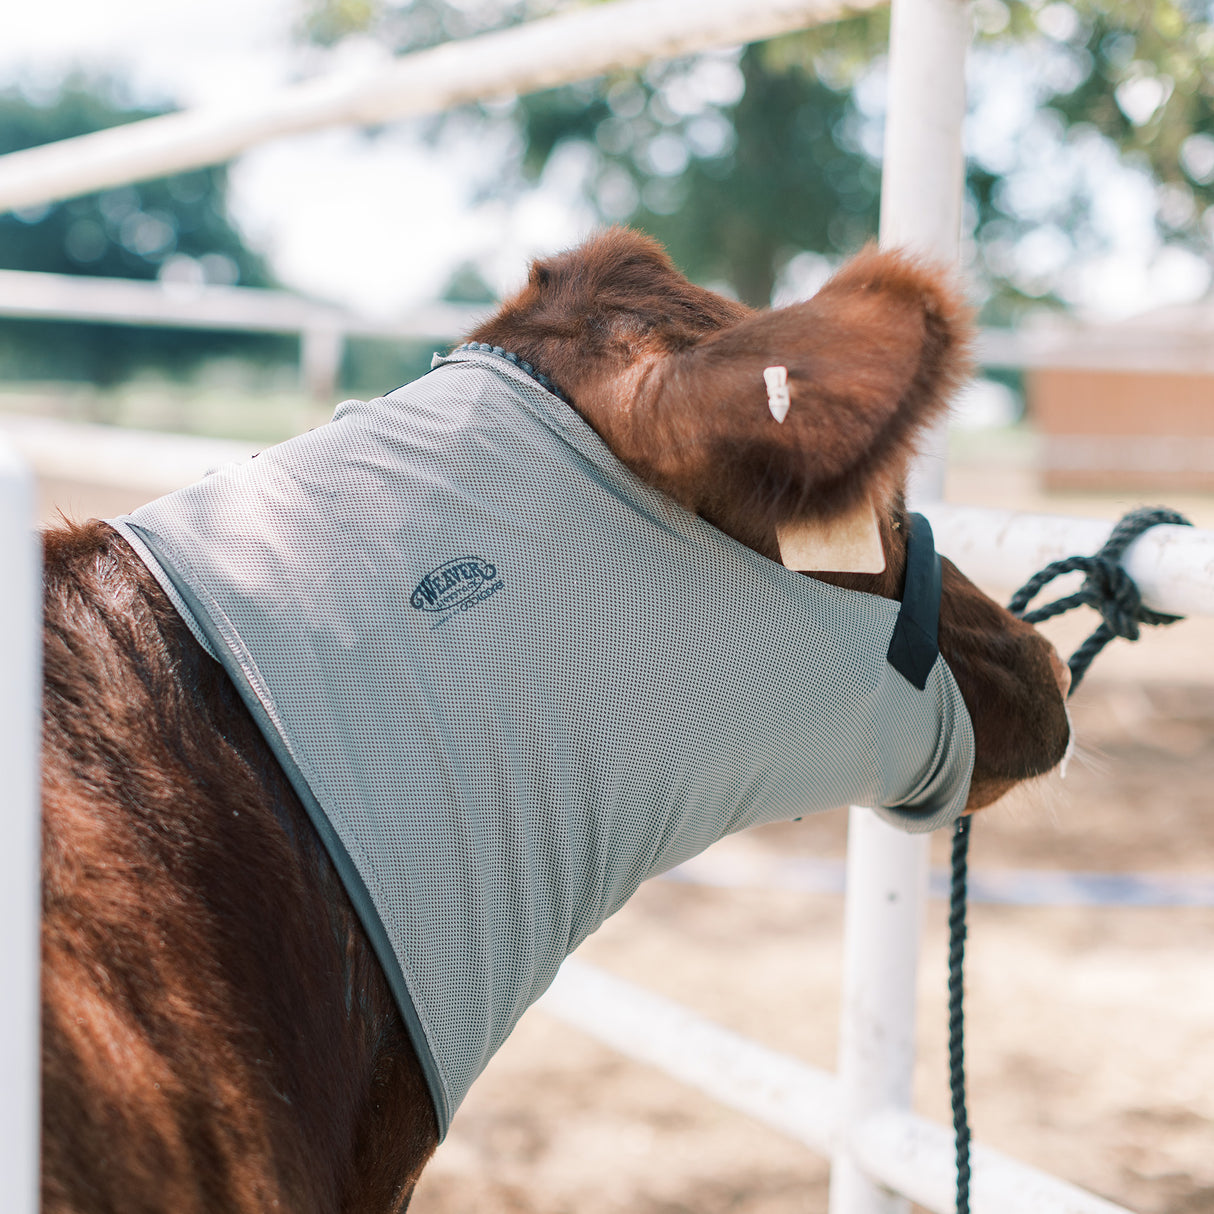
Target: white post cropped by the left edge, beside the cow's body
point(20, 717)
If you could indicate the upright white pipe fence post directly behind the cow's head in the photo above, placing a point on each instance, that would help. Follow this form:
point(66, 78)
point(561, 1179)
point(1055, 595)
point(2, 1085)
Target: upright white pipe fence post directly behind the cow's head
point(887, 870)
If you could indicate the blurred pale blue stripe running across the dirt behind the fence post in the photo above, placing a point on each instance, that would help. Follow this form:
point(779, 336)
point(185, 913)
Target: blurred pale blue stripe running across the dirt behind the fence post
point(1023, 887)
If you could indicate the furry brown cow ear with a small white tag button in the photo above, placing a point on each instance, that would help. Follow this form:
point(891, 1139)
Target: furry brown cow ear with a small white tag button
point(805, 412)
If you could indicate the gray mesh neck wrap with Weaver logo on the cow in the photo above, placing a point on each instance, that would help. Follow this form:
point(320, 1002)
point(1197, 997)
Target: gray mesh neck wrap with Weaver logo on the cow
point(510, 682)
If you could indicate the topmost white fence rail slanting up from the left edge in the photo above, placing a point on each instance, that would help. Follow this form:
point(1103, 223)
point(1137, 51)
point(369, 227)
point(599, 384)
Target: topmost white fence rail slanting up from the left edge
point(540, 55)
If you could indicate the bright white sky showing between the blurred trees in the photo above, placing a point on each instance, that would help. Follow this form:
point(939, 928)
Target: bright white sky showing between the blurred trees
point(378, 225)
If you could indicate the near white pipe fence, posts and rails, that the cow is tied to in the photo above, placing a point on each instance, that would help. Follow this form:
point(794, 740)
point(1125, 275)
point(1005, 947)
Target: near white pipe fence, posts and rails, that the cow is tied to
point(883, 1155)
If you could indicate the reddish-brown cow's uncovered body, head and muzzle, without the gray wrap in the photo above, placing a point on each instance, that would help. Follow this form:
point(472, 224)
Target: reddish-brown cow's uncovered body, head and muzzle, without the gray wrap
point(218, 1033)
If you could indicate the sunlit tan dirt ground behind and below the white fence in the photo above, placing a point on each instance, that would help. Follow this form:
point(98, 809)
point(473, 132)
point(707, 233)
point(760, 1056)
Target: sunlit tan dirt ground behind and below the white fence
point(1091, 1029)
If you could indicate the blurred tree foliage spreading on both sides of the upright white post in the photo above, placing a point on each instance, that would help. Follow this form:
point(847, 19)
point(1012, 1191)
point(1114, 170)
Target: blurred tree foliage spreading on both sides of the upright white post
point(742, 163)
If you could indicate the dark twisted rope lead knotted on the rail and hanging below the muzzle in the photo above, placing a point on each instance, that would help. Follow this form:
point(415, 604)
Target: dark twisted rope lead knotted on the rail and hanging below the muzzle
point(1110, 591)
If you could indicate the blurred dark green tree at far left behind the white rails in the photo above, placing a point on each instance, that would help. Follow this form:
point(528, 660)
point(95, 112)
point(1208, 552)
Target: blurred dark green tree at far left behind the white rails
point(174, 228)
